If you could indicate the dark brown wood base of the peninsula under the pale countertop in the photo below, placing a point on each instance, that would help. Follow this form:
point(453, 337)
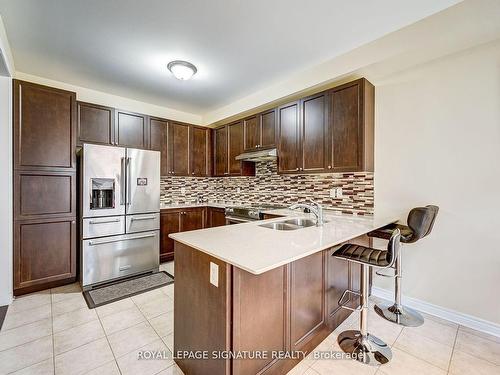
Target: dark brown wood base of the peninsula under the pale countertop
point(290, 308)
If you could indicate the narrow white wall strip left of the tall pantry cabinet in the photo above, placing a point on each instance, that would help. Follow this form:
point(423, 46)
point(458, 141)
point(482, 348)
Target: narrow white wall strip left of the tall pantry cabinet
point(6, 195)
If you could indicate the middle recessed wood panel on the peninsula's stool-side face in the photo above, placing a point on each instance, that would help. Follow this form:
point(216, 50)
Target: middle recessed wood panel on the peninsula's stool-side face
point(307, 303)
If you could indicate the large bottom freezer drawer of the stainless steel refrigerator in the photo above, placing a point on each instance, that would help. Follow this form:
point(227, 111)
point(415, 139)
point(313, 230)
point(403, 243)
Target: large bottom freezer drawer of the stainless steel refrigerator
point(110, 258)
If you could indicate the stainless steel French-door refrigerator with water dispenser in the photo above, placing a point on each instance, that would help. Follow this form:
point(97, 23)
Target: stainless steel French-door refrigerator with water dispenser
point(120, 209)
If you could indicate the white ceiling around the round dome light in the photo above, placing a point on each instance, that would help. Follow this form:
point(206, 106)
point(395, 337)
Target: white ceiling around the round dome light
point(239, 46)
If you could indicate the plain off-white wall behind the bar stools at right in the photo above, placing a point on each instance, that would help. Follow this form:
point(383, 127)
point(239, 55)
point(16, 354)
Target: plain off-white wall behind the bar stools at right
point(438, 142)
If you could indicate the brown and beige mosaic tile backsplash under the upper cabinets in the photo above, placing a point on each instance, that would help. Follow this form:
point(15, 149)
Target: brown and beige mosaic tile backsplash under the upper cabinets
point(269, 187)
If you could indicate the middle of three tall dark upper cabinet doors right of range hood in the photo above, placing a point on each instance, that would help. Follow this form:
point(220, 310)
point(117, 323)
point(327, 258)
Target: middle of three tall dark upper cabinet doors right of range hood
point(314, 150)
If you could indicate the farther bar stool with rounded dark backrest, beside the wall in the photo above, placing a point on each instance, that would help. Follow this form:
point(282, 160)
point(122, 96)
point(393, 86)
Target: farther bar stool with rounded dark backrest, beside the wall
point(420, 222)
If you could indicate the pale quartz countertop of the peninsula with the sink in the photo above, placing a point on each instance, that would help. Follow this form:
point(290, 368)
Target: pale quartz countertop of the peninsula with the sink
point(256, 249)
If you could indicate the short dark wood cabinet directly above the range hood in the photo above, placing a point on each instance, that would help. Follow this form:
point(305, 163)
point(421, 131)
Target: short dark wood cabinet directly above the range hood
point(260, 130)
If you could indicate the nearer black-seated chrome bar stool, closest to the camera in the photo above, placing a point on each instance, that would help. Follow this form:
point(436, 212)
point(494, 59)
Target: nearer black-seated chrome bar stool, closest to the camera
point(365, 347)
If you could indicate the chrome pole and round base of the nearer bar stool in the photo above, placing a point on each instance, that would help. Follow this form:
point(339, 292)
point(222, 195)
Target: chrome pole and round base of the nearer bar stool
point(364, 347)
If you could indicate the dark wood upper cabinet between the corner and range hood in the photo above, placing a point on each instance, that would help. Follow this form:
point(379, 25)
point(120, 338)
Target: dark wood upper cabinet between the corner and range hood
point(229, 143)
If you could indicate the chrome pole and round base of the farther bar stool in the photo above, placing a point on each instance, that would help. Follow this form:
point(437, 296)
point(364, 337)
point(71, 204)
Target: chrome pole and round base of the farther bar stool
point(396, 312)
